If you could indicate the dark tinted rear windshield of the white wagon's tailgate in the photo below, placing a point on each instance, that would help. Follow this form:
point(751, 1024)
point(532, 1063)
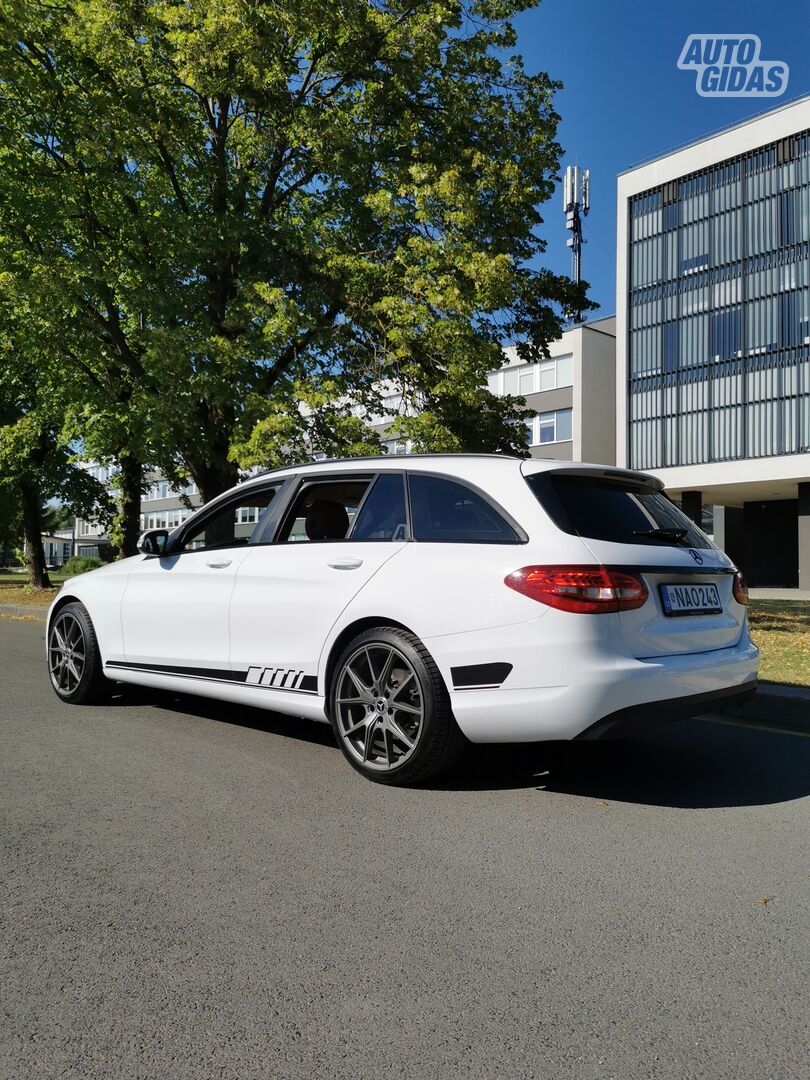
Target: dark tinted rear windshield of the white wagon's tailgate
point(617, 510)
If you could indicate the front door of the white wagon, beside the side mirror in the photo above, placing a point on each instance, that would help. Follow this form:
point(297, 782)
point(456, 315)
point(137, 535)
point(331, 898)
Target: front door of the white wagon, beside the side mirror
point(175, 610)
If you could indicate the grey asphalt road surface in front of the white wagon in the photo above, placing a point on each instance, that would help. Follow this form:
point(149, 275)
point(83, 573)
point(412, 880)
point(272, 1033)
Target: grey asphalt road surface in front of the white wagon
point(195, 892)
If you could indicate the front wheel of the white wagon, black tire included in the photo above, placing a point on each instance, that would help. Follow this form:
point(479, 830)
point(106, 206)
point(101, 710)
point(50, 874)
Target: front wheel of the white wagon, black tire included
point(75, 665)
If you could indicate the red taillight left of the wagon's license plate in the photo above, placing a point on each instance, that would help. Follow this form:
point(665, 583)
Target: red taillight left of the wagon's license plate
point(586, 589)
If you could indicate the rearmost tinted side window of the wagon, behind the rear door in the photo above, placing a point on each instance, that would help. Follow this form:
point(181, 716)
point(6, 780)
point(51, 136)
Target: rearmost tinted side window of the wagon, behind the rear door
point(448, 511)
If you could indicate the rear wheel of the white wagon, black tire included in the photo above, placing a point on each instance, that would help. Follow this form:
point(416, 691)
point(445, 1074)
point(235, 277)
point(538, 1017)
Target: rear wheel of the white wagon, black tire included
point(375, 739)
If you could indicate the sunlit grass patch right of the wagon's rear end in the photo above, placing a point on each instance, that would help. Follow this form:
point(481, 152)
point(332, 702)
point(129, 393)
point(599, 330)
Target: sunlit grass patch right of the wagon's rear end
point(782, 631)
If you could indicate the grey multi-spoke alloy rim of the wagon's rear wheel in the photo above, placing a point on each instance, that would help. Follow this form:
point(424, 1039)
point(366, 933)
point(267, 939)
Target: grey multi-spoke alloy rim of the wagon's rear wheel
point(381, 709)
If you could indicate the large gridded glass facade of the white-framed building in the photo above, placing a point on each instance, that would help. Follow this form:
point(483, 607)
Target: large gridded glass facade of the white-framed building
point(720, 312)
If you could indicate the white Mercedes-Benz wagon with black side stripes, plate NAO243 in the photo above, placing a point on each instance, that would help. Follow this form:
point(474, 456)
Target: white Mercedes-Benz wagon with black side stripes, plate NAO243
point(420, 602)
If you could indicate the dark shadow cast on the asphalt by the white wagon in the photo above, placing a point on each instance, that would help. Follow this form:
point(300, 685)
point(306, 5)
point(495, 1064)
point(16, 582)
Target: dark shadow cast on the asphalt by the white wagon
point(692, 764)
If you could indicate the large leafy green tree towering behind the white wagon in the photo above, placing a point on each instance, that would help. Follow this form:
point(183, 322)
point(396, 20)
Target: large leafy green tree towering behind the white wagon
point(233, 210)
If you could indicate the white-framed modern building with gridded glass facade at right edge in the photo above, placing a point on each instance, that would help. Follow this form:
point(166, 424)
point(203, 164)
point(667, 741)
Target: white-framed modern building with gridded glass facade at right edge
point(713, 335)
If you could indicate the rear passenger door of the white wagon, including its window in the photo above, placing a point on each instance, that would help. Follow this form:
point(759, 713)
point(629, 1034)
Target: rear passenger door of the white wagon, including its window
point(291, 589)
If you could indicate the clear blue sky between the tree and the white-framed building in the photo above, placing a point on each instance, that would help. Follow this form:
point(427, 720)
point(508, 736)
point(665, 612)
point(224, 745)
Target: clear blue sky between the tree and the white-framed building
point(626, 101)
